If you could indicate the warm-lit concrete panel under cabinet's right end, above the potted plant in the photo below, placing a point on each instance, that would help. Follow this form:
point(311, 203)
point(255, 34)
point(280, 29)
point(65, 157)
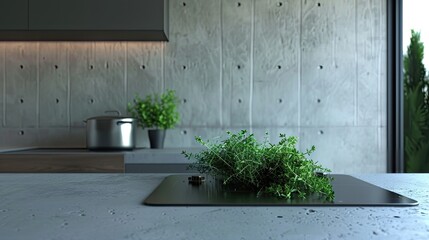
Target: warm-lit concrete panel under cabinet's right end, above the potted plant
point(145, 71)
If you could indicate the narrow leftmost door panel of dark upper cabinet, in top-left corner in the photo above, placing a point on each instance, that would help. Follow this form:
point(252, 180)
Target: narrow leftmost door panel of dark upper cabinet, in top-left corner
point(13, 15)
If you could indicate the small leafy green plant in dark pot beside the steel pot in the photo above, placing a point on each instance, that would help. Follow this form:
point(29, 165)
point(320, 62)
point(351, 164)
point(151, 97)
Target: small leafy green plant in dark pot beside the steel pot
point(157, 113)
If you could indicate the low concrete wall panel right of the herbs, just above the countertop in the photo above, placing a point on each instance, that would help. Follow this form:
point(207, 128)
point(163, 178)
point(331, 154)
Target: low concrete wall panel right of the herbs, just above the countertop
point(345, 149)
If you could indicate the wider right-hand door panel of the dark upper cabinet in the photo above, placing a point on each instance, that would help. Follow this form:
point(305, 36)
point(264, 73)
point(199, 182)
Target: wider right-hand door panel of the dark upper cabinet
point(96, 14)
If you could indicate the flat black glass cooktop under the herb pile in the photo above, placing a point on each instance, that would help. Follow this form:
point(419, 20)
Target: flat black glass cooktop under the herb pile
point(175, 190)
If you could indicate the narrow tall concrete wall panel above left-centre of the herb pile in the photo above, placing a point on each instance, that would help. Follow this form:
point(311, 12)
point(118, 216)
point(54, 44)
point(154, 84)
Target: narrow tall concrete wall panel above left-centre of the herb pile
point(236, 45)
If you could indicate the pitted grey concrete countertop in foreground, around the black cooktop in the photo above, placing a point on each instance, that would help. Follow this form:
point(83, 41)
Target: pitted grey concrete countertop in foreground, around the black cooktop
point(109, 206)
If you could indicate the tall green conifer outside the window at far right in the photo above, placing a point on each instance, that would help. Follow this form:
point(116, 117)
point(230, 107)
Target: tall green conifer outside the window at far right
point(416, 108)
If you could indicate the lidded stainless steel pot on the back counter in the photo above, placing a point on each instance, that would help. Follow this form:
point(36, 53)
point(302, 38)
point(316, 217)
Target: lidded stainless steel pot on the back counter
point(110, 133)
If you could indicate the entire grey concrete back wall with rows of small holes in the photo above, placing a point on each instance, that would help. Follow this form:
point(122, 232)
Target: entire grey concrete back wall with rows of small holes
point(315, 69)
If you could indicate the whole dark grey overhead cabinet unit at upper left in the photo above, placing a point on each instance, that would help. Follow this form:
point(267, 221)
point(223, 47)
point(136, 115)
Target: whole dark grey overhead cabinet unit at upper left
point(83, 20)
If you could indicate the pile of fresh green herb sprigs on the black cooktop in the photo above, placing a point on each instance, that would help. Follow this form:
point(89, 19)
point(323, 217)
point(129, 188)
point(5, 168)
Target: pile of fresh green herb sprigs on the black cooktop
point(278, 169)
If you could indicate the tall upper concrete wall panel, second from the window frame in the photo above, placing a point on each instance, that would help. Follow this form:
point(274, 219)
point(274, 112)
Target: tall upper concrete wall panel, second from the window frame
point(328, 73)
